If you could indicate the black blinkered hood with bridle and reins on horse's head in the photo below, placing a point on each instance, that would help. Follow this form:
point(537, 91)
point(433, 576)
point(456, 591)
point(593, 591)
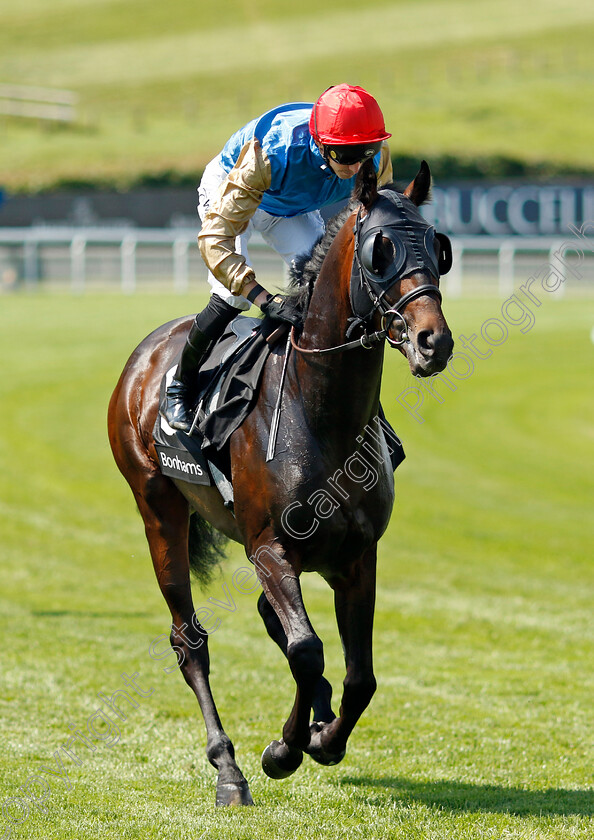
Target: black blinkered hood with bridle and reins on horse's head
point(411, 238)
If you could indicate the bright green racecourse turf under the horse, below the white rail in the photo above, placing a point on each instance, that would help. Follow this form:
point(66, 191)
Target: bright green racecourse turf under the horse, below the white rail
point(481, 726)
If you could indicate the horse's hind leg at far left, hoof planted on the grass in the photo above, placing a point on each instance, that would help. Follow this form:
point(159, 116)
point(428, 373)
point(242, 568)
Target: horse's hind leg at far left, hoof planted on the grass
point(166, 514)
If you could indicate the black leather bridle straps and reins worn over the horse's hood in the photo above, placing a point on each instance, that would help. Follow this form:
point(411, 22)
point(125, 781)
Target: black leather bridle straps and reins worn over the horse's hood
point(363, 273)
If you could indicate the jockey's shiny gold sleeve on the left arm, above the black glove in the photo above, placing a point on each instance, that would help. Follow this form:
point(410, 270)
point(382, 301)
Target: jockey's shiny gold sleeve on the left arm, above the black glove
point(236, 202)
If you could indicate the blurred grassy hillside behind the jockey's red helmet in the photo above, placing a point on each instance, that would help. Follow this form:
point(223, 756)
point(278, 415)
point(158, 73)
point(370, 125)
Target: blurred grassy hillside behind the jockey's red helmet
point(161, 87)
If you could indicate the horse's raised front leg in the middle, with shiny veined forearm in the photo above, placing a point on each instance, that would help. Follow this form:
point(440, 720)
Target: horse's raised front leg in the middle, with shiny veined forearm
point(304, 653)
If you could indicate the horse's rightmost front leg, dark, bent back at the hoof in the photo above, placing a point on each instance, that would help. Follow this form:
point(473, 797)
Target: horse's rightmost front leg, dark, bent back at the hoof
point(354, 602)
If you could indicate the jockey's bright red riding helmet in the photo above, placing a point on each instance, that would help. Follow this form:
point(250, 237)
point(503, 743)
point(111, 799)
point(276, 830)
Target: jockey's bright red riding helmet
point(347, 115)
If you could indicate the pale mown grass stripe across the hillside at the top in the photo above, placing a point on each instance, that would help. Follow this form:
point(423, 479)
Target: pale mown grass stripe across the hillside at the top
point(407, 27)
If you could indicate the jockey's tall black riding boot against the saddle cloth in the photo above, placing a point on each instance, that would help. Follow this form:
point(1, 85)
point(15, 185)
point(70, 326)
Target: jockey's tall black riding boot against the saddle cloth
point(208, 326)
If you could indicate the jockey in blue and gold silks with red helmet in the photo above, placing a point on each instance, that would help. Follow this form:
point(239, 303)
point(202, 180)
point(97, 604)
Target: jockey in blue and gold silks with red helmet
point(272, 176)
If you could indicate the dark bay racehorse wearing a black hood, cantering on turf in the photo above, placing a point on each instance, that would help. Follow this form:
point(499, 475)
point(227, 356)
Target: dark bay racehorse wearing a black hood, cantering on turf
point(324, 500)
